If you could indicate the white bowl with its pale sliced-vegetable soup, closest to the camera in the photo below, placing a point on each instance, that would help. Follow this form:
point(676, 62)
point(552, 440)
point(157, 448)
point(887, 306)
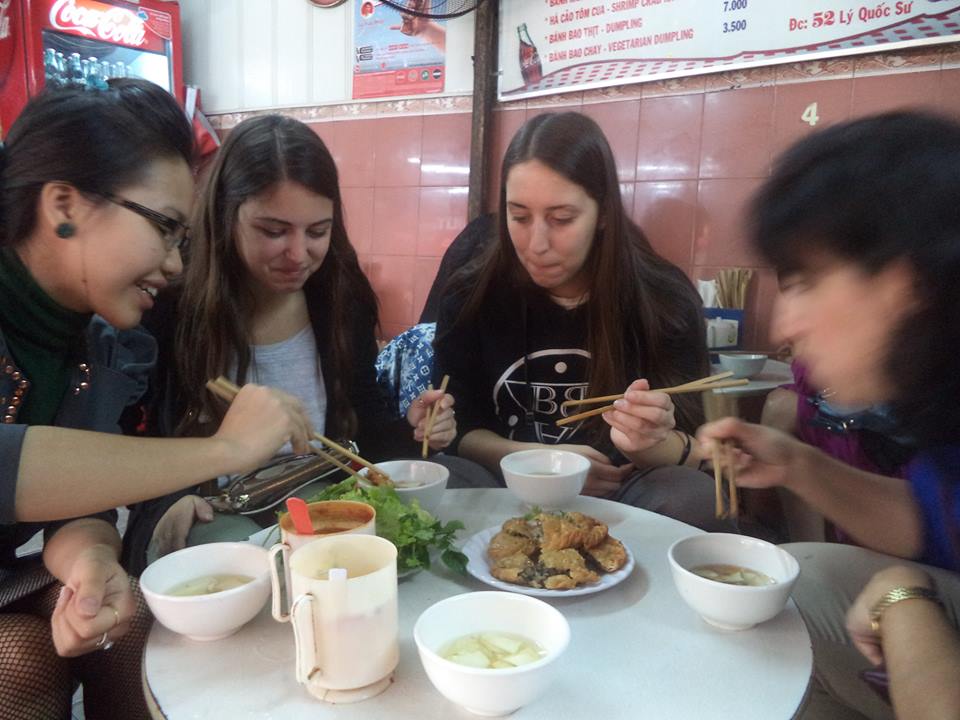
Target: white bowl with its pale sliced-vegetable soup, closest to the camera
point(491, 652)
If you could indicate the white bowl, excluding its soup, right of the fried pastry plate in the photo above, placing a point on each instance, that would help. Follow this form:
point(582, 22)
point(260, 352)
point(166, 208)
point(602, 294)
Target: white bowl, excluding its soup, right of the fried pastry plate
point(732, 607)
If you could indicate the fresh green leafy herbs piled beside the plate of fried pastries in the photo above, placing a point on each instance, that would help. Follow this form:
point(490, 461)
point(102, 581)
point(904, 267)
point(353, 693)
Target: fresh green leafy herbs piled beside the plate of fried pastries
point(411, 528)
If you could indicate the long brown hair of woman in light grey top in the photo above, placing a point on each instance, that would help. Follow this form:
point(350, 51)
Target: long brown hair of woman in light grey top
point(217, 301)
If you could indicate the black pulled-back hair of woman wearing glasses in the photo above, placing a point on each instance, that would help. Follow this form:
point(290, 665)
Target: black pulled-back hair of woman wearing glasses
point(99, 142)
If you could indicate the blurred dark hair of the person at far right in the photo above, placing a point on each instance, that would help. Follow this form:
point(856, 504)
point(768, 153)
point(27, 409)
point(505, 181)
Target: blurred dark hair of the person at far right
point(872, 192)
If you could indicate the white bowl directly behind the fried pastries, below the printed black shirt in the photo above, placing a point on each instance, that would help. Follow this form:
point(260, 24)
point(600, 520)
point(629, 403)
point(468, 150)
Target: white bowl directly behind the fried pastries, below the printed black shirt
point(549, 479)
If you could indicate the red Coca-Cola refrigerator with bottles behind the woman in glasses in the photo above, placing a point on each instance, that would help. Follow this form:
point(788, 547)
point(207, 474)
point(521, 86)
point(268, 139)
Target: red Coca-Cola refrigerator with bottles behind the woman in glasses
point(83, 43)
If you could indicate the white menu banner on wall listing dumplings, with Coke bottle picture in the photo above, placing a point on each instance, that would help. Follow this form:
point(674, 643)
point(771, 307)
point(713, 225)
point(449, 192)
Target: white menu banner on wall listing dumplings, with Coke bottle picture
point(551, 46)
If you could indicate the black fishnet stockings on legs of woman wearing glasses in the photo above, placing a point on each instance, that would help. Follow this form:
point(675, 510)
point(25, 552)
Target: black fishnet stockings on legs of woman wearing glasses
point(37, 684)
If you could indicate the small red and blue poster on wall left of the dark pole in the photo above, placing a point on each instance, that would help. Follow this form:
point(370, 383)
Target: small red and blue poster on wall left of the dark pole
point(395, 54)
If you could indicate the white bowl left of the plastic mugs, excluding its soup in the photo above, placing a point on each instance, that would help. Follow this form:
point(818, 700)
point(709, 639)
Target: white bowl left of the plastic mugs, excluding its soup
point(213, 616)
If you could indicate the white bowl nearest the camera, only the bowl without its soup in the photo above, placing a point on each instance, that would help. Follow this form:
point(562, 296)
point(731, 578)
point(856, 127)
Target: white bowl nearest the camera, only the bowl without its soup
point(482, 691)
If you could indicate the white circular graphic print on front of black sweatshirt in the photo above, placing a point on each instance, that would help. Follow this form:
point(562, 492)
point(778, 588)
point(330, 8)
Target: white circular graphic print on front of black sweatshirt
point(554, 375)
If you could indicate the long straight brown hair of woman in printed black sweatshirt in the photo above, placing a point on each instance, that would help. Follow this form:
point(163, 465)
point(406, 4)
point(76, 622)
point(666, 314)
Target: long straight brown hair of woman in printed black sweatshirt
point(644, 316)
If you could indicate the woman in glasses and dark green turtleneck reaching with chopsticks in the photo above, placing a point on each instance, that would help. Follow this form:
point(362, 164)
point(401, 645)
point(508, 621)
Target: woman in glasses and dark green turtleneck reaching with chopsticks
point(94, 189)
